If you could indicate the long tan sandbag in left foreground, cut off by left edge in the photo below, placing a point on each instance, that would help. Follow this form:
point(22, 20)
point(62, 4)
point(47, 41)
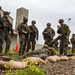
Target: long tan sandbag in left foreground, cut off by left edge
point(12, 64)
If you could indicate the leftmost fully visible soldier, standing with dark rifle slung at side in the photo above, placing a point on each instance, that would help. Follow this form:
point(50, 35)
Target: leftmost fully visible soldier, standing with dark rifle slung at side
point(7, 29)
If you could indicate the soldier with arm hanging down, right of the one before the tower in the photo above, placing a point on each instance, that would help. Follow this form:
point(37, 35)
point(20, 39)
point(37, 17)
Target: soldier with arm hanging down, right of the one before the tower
point(33, 36)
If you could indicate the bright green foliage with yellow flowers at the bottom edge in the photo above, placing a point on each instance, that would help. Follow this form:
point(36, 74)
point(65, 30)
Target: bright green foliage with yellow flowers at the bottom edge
point(33, 70)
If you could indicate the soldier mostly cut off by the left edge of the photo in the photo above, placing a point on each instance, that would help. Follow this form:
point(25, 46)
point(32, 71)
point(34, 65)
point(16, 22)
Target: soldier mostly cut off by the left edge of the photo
point(1, 34)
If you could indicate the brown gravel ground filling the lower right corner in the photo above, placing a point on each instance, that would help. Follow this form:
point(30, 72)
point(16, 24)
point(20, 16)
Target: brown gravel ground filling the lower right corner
point(60, 68)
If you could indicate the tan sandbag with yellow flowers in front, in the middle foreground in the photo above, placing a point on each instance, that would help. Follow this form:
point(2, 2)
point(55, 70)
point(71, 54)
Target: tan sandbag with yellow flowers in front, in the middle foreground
point(34, 60)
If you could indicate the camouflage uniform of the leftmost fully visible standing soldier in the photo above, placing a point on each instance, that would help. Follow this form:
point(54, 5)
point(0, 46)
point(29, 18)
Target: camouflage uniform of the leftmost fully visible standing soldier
point(6, 32)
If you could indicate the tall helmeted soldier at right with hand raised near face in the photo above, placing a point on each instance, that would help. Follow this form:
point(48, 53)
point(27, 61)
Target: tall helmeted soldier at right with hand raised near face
point(64, 32)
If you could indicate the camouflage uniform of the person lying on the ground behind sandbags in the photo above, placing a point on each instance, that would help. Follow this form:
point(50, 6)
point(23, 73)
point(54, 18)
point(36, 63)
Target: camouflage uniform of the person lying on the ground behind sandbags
point(42, 53)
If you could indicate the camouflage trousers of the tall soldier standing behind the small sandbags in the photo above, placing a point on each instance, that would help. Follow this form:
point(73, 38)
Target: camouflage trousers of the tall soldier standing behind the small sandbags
point(63, 46)
